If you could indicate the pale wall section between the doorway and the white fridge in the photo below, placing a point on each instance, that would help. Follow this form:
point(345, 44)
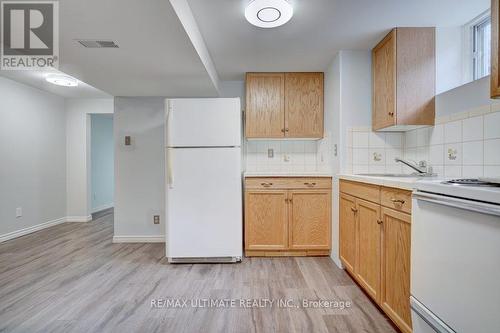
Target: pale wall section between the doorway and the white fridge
point(139, 168)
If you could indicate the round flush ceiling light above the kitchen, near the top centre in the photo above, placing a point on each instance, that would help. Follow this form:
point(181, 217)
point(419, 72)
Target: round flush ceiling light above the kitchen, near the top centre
point(268, 13)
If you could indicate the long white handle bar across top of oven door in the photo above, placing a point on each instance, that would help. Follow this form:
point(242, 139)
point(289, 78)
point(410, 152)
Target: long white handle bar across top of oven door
point(475, 206)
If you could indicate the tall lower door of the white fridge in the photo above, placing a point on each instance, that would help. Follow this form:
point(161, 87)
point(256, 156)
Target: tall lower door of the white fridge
point(204, 203)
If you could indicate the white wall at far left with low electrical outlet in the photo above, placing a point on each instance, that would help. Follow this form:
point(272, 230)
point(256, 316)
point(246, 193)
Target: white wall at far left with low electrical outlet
point(33, 157)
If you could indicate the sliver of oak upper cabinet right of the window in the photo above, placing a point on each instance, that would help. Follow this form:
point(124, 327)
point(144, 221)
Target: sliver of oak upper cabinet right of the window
point(495, 49)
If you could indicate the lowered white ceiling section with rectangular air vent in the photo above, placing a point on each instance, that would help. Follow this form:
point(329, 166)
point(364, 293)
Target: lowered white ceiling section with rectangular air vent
point(155, 56)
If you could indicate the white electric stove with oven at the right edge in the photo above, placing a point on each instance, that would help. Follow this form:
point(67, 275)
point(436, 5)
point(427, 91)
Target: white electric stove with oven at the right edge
point(455, 257)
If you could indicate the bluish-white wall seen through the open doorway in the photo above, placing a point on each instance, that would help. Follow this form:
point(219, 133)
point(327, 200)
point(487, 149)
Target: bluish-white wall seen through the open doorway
point(102, 161)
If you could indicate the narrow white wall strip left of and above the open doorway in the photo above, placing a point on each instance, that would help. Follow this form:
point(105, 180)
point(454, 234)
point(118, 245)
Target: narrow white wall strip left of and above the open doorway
point(78, 173)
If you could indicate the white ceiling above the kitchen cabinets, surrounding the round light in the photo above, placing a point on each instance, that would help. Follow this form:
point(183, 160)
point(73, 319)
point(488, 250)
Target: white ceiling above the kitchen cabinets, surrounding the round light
point(318, 29)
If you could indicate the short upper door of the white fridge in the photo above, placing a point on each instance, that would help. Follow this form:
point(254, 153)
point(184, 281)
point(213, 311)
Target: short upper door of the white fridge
point(203, 122)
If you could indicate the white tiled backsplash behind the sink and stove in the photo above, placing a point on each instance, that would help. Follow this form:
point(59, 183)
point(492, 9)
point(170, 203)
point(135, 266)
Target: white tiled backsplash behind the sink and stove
point(464, 145)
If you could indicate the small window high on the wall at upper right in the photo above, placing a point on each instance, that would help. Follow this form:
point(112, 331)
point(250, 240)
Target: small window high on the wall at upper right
point(481, 37)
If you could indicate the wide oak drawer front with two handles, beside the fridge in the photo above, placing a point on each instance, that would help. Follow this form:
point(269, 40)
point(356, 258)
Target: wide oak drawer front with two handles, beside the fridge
point(288, 183)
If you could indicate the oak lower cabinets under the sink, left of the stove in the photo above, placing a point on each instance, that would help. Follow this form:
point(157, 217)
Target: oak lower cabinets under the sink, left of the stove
point(375, 234)
